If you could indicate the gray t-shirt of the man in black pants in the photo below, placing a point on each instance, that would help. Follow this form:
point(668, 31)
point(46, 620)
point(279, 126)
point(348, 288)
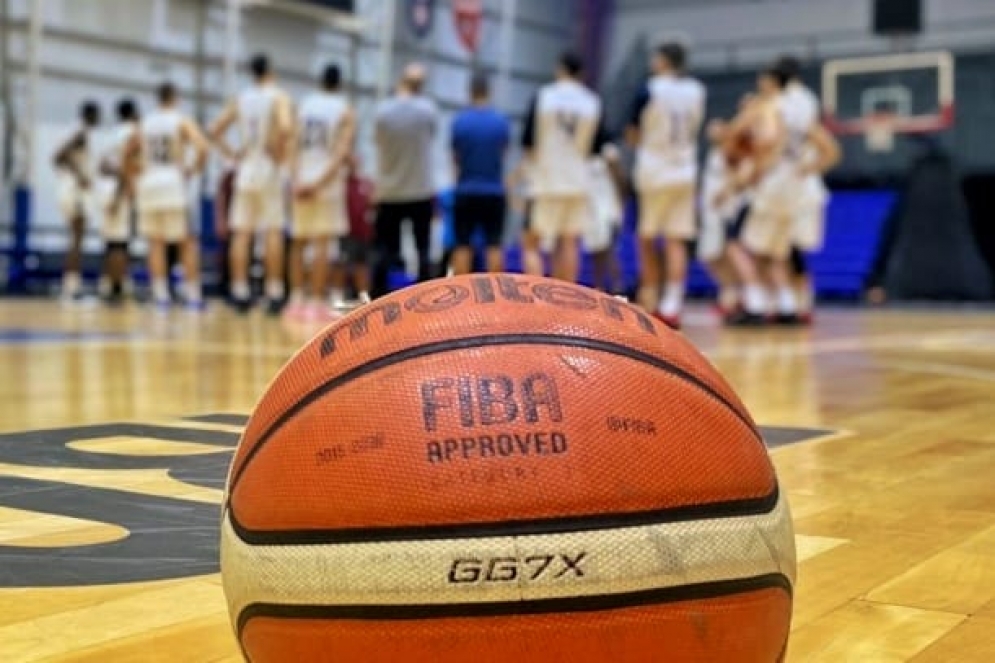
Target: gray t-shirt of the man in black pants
point(404, 133)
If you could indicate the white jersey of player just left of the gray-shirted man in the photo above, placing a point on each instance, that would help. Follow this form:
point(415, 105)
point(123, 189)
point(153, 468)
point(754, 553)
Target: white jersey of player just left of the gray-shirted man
point(319, 123)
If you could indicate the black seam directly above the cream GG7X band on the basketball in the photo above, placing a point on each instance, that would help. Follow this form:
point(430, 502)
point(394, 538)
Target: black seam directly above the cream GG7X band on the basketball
point(752, 506)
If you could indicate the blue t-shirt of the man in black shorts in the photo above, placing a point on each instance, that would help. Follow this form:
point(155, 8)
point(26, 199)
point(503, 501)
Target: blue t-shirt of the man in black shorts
point(479, 138)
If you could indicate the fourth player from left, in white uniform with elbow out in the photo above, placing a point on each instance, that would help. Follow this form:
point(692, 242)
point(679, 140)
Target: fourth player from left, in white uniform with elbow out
point(265, 122)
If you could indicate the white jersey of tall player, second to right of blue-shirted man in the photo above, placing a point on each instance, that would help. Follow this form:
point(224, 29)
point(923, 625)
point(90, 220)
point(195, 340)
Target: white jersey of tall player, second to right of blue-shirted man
point(669, 114)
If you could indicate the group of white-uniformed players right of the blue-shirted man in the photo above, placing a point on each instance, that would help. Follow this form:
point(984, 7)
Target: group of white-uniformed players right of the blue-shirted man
point(756, 210)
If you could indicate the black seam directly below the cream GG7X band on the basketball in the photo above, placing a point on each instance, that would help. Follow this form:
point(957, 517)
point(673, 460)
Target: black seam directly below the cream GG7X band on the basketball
point(572, 604)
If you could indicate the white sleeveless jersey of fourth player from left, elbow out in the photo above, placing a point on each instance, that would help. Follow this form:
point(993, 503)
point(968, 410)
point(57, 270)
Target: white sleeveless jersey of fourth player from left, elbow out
point(257, 124)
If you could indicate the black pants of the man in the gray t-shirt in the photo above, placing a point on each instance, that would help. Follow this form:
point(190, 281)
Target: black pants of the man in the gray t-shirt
point(390, 216)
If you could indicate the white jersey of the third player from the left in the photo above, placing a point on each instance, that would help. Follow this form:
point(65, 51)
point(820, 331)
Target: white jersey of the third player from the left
point(161, 184)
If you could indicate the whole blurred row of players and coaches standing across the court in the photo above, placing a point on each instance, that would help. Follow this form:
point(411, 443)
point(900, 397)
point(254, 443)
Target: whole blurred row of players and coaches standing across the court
point(751, 212)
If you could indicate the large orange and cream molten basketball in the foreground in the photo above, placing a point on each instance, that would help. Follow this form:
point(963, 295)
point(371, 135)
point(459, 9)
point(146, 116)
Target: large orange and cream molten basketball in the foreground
point(498, 468)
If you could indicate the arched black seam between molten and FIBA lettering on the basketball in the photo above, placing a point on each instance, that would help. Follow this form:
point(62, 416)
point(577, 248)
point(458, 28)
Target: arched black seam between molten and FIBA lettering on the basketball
point(490, 340)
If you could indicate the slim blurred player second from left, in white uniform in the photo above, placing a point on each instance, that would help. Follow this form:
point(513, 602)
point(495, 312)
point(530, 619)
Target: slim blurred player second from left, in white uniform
point(117, 196)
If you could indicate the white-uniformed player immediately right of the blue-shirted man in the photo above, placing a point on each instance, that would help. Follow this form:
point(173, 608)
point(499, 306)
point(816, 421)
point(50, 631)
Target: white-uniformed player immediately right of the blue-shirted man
point(563, 129)
